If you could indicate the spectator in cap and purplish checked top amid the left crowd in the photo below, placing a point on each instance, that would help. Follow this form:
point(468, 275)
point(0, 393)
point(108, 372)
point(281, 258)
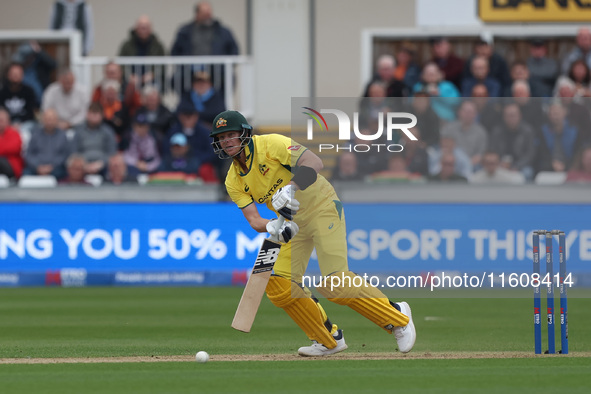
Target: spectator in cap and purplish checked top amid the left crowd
point(142, 155)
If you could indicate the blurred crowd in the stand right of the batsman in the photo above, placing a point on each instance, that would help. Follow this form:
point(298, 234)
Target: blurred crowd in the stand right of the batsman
point(480, 119)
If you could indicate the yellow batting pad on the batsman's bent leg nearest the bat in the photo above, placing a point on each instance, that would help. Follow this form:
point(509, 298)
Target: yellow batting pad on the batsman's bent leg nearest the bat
point(301, 308)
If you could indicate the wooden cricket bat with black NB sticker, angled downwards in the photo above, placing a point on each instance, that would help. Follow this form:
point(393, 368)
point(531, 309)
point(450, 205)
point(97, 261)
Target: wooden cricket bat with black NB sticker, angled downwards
point(257, 283)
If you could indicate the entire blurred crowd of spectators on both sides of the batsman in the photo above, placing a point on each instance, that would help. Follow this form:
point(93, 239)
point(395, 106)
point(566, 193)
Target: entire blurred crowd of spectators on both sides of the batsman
point(480, 119)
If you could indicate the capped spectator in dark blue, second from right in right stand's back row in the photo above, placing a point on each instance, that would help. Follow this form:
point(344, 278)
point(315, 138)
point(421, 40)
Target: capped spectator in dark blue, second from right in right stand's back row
point(542, 69)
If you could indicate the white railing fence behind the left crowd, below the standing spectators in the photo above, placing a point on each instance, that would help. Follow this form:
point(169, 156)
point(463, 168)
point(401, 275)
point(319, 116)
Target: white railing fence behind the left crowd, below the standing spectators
point(234, 75)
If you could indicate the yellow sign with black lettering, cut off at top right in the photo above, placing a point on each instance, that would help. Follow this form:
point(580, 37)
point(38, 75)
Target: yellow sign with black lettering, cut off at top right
point(534, 10)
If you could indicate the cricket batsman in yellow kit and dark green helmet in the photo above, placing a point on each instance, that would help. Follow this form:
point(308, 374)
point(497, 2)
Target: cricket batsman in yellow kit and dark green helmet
point(274, 170)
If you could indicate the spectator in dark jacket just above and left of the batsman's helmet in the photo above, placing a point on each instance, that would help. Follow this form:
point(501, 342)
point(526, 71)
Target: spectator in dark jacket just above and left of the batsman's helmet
point(204, 97)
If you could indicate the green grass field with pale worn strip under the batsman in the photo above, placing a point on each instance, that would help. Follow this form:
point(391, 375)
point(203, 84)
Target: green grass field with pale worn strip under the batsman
point(464, 344)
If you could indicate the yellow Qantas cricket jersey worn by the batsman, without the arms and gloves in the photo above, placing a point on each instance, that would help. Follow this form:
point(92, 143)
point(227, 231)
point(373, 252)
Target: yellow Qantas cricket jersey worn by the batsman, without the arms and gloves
point(270, 159)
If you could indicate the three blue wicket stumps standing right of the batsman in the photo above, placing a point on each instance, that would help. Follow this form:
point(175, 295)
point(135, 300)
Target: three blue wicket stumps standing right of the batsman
point(549, 281)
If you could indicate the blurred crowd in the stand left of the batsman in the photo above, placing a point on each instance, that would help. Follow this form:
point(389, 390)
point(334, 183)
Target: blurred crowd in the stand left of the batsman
point(119, 130)
